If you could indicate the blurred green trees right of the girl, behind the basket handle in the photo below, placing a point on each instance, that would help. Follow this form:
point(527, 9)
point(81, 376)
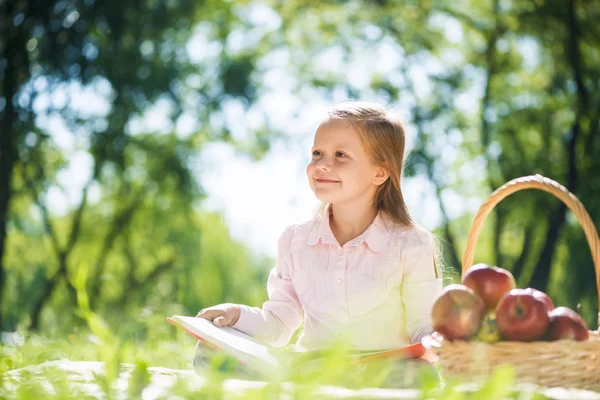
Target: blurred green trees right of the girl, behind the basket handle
point(494, 91)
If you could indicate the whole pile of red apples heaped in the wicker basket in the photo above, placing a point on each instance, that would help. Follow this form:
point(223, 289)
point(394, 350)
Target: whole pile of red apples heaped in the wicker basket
point(487, 306)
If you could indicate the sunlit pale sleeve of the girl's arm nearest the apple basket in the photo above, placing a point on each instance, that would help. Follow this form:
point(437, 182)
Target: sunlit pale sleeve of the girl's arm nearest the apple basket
point(420, 287)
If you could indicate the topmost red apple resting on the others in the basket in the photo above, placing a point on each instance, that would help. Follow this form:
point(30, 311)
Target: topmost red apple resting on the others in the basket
point(489, 283)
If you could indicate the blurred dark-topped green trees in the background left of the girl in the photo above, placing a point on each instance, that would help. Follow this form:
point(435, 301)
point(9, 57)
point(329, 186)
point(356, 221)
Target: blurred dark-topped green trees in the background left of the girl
point(92, 71)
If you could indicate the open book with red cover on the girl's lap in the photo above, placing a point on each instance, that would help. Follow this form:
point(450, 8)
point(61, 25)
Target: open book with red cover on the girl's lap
point(268, 360)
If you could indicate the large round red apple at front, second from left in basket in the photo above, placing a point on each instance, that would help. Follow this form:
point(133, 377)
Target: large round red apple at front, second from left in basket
point(522, 316)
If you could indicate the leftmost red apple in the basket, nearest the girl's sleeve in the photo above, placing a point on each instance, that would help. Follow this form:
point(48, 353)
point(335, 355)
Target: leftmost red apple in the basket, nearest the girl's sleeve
point(457, 312)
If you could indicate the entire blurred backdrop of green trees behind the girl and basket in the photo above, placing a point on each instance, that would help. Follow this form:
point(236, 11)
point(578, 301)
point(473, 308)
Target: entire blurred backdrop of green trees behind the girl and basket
point(490, 91)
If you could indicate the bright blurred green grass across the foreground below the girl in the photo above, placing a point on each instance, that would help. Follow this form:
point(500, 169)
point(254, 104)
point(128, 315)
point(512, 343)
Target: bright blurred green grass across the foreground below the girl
point(128, 365)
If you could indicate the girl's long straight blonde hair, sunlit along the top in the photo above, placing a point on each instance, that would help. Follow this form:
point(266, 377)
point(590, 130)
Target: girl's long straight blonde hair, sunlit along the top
point(382, 135)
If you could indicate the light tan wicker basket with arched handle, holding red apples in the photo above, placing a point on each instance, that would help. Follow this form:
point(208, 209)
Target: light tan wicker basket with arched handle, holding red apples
point(562, 363)
